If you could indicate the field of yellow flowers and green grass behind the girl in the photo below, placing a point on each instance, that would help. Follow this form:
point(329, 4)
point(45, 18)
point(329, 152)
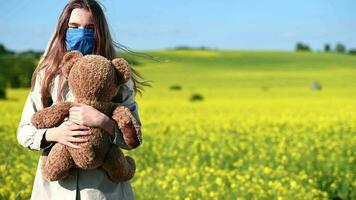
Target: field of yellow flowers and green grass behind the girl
point(260, 132)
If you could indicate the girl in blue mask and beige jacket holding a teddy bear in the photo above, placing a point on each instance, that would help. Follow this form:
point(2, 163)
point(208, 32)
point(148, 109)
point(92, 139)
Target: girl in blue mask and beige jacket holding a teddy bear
point(82, 26)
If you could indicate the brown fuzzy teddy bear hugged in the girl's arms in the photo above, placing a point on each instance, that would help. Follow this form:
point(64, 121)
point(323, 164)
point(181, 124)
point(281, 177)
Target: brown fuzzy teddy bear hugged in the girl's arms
point(93, 80)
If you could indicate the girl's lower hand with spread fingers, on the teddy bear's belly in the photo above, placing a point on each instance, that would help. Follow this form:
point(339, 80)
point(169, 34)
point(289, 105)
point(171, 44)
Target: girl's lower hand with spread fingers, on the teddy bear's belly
point(66, 134)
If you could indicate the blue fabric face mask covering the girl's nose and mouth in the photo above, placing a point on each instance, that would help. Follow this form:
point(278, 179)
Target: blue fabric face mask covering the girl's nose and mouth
point(80, 39)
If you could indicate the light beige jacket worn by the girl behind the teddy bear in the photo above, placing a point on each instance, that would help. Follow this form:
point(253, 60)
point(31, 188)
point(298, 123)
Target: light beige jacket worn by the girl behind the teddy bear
point(81, 184)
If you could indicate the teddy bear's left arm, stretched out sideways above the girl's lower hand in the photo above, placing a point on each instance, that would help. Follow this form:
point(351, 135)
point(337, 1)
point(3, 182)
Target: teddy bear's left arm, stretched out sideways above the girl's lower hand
point(51, 116)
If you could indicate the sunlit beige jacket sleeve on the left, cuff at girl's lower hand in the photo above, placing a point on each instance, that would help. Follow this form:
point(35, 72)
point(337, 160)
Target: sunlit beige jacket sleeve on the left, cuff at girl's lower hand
point(27, 134)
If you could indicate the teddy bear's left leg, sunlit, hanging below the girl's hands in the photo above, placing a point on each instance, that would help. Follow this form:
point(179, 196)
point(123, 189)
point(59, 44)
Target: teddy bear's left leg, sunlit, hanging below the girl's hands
point(56, 162)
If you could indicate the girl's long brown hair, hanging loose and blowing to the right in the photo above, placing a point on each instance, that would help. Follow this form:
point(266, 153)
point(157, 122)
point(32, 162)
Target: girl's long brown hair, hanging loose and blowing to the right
point(104, 45)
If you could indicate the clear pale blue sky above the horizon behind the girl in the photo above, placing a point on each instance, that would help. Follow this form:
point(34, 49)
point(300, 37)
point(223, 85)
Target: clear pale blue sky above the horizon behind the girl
point(224, 24)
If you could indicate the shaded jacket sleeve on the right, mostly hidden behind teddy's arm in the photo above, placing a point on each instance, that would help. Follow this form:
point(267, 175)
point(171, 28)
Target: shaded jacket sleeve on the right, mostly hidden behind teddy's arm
point(126, 97)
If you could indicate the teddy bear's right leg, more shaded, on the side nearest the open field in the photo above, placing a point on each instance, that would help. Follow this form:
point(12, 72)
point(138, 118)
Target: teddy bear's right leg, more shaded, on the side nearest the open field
point(118, 166)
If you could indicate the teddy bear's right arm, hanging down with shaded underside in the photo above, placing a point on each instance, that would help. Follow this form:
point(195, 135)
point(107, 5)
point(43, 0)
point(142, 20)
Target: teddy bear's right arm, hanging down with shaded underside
point(128, 125)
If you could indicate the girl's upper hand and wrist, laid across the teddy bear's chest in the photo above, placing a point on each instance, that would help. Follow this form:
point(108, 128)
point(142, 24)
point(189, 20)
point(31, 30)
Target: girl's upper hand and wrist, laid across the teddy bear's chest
point(86, 115)
